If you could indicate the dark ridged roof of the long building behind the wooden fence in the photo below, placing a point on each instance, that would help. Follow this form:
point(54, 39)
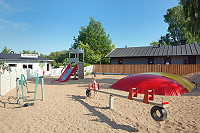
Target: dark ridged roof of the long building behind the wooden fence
point(163, 50)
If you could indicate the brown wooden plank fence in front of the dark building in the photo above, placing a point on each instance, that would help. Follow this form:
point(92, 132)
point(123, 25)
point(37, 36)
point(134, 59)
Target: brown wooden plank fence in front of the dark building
point(132, 69)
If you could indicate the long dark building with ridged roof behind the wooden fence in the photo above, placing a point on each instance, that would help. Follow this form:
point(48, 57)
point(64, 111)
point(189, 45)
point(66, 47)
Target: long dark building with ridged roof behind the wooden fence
point(164, 54)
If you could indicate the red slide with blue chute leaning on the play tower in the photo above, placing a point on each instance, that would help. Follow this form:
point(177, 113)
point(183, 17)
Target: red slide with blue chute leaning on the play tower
point(66, 74)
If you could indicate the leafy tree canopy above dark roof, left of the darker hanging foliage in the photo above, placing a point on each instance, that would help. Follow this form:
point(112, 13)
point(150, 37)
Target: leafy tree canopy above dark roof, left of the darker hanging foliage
point(179, 26)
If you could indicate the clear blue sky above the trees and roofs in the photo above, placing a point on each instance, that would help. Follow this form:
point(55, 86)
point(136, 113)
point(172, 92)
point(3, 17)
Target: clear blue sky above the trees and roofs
point(49, 25)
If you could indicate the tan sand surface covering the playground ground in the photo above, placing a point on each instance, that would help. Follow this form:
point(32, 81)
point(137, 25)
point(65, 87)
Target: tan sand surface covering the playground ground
point(65, 109)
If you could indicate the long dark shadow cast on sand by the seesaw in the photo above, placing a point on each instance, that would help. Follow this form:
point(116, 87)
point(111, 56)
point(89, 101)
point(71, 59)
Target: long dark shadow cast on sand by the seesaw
point(103, 118)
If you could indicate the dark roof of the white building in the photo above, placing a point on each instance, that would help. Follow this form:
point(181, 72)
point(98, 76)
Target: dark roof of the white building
point(14, 57)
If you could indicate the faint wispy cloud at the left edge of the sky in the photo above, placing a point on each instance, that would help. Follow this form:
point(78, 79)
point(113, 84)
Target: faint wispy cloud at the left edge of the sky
point(8, 24)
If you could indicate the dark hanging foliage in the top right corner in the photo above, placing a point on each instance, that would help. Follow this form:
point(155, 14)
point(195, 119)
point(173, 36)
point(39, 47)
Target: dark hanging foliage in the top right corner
point(192, 13)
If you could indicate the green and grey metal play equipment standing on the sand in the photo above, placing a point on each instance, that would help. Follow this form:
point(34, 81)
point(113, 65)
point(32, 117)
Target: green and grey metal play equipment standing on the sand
point(24, 84)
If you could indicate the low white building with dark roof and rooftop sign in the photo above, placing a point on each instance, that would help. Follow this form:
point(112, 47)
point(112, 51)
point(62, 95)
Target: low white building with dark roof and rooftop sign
point(33, 62)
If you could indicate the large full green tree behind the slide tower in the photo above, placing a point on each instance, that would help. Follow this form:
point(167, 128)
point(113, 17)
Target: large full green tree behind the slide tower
point(95, 41)
